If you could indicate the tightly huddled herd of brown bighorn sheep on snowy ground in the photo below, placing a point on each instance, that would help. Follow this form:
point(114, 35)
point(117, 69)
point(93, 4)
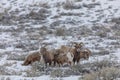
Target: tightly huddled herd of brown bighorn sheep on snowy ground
point(65, 54)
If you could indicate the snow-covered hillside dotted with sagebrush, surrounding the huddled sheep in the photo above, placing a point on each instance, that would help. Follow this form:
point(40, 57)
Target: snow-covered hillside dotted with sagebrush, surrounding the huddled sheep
point(26, 24)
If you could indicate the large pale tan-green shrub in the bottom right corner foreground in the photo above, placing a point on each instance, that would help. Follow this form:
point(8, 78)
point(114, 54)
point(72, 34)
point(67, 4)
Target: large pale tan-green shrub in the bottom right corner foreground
point(106, 73)
